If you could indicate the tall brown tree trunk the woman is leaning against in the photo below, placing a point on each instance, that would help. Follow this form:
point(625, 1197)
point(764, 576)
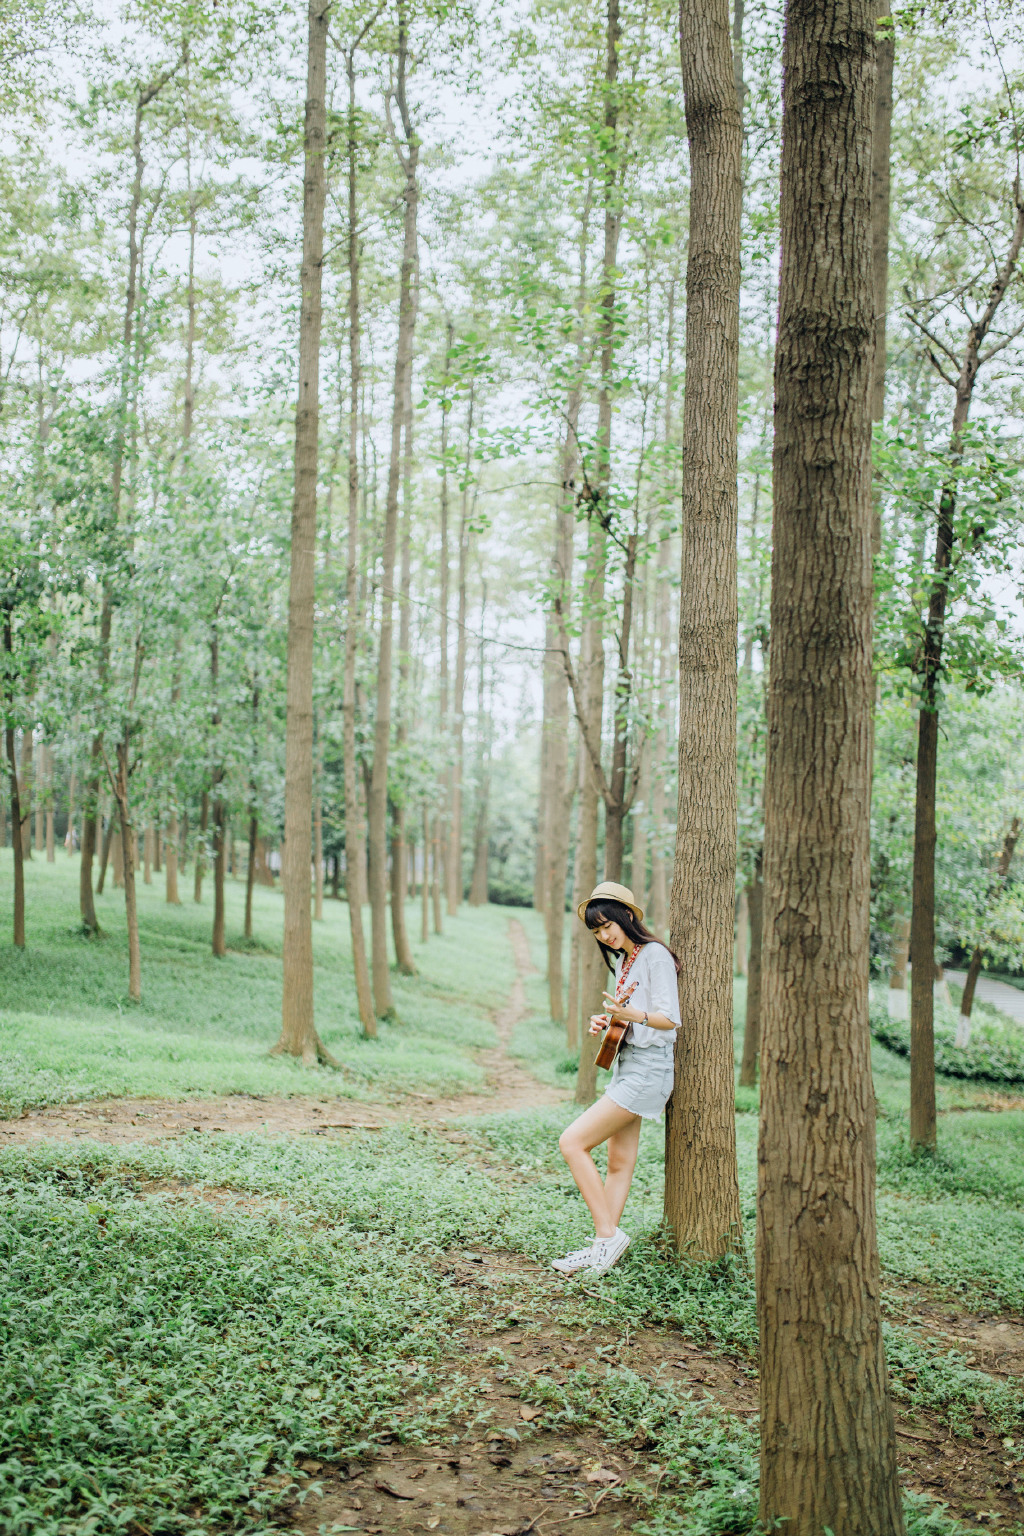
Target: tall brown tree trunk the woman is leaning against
point(702, 1191)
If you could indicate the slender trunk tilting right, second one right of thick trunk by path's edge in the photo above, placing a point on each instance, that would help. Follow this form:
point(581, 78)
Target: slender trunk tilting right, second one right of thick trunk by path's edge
point(409, 161)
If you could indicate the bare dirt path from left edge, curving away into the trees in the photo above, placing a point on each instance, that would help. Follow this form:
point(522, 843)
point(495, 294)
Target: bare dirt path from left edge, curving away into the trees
point(119, 1121)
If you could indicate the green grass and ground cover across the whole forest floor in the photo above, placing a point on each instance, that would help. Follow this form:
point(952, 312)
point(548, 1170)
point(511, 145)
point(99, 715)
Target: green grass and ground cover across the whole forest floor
point(188, 1320)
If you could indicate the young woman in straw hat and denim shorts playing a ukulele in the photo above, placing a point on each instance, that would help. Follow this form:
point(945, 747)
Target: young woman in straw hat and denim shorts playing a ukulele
point(647, 996)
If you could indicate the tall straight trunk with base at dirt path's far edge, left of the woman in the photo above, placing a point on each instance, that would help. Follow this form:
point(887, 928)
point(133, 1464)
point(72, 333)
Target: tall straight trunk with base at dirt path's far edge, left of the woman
point(299, 1031)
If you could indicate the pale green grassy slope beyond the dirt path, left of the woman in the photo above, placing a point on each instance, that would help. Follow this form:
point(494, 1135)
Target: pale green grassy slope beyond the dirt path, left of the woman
point(205, 1027)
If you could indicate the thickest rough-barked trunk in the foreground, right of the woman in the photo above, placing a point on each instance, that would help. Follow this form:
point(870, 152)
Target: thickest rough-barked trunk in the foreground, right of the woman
point(828, 1443)
